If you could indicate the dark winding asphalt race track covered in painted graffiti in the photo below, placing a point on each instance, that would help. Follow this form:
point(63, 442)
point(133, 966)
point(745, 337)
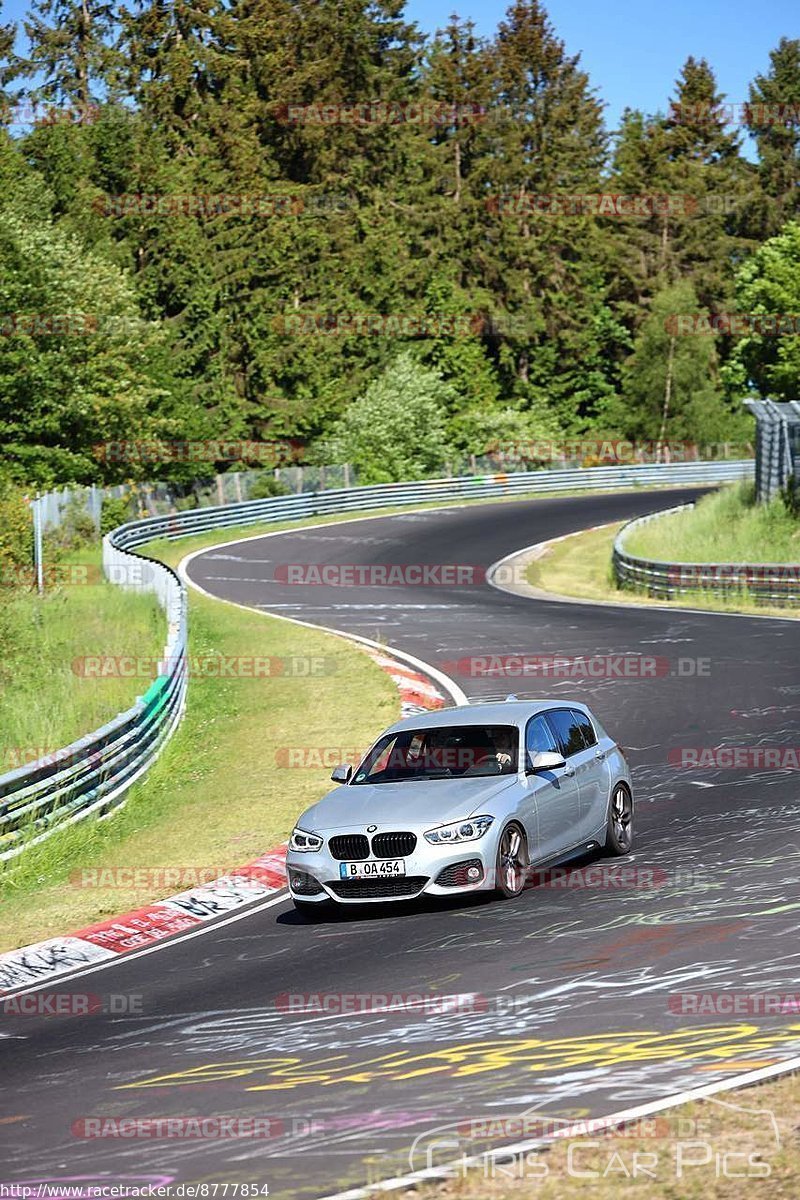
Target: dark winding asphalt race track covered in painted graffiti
point(579, 989)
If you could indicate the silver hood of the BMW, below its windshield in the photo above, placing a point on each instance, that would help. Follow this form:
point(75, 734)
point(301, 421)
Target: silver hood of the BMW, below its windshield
point(396, 806)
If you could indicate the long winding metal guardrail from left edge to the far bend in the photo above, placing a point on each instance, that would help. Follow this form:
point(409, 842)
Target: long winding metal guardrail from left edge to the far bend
point(93, 775)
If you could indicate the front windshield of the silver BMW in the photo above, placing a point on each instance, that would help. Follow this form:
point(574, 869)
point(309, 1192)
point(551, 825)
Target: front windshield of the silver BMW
point(442, 753)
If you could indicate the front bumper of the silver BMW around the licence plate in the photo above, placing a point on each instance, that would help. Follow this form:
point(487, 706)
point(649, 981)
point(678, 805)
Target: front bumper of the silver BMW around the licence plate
point(430, 871)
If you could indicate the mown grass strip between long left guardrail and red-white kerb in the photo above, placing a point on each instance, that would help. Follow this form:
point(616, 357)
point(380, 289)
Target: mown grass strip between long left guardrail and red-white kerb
point(218, 797)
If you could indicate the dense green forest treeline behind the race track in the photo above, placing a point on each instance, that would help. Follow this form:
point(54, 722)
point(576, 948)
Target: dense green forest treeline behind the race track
point(305, 223)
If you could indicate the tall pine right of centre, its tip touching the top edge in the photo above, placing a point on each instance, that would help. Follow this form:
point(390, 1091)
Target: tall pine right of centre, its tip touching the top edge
point(548, 141)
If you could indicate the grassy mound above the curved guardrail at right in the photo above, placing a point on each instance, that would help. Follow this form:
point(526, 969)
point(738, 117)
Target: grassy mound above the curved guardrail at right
point(727, 527)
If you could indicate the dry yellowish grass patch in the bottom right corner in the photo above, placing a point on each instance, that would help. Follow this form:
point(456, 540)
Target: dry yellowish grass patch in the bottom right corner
point(732, 1148)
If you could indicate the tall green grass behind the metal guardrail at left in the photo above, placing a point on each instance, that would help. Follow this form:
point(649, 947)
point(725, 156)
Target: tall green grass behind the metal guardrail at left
point(45, 701)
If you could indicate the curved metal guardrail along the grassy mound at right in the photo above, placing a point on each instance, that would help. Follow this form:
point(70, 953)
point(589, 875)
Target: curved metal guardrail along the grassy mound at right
point(772, 584)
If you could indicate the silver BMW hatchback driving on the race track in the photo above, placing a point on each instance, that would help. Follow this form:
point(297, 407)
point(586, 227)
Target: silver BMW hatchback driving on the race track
point(465, 800)
